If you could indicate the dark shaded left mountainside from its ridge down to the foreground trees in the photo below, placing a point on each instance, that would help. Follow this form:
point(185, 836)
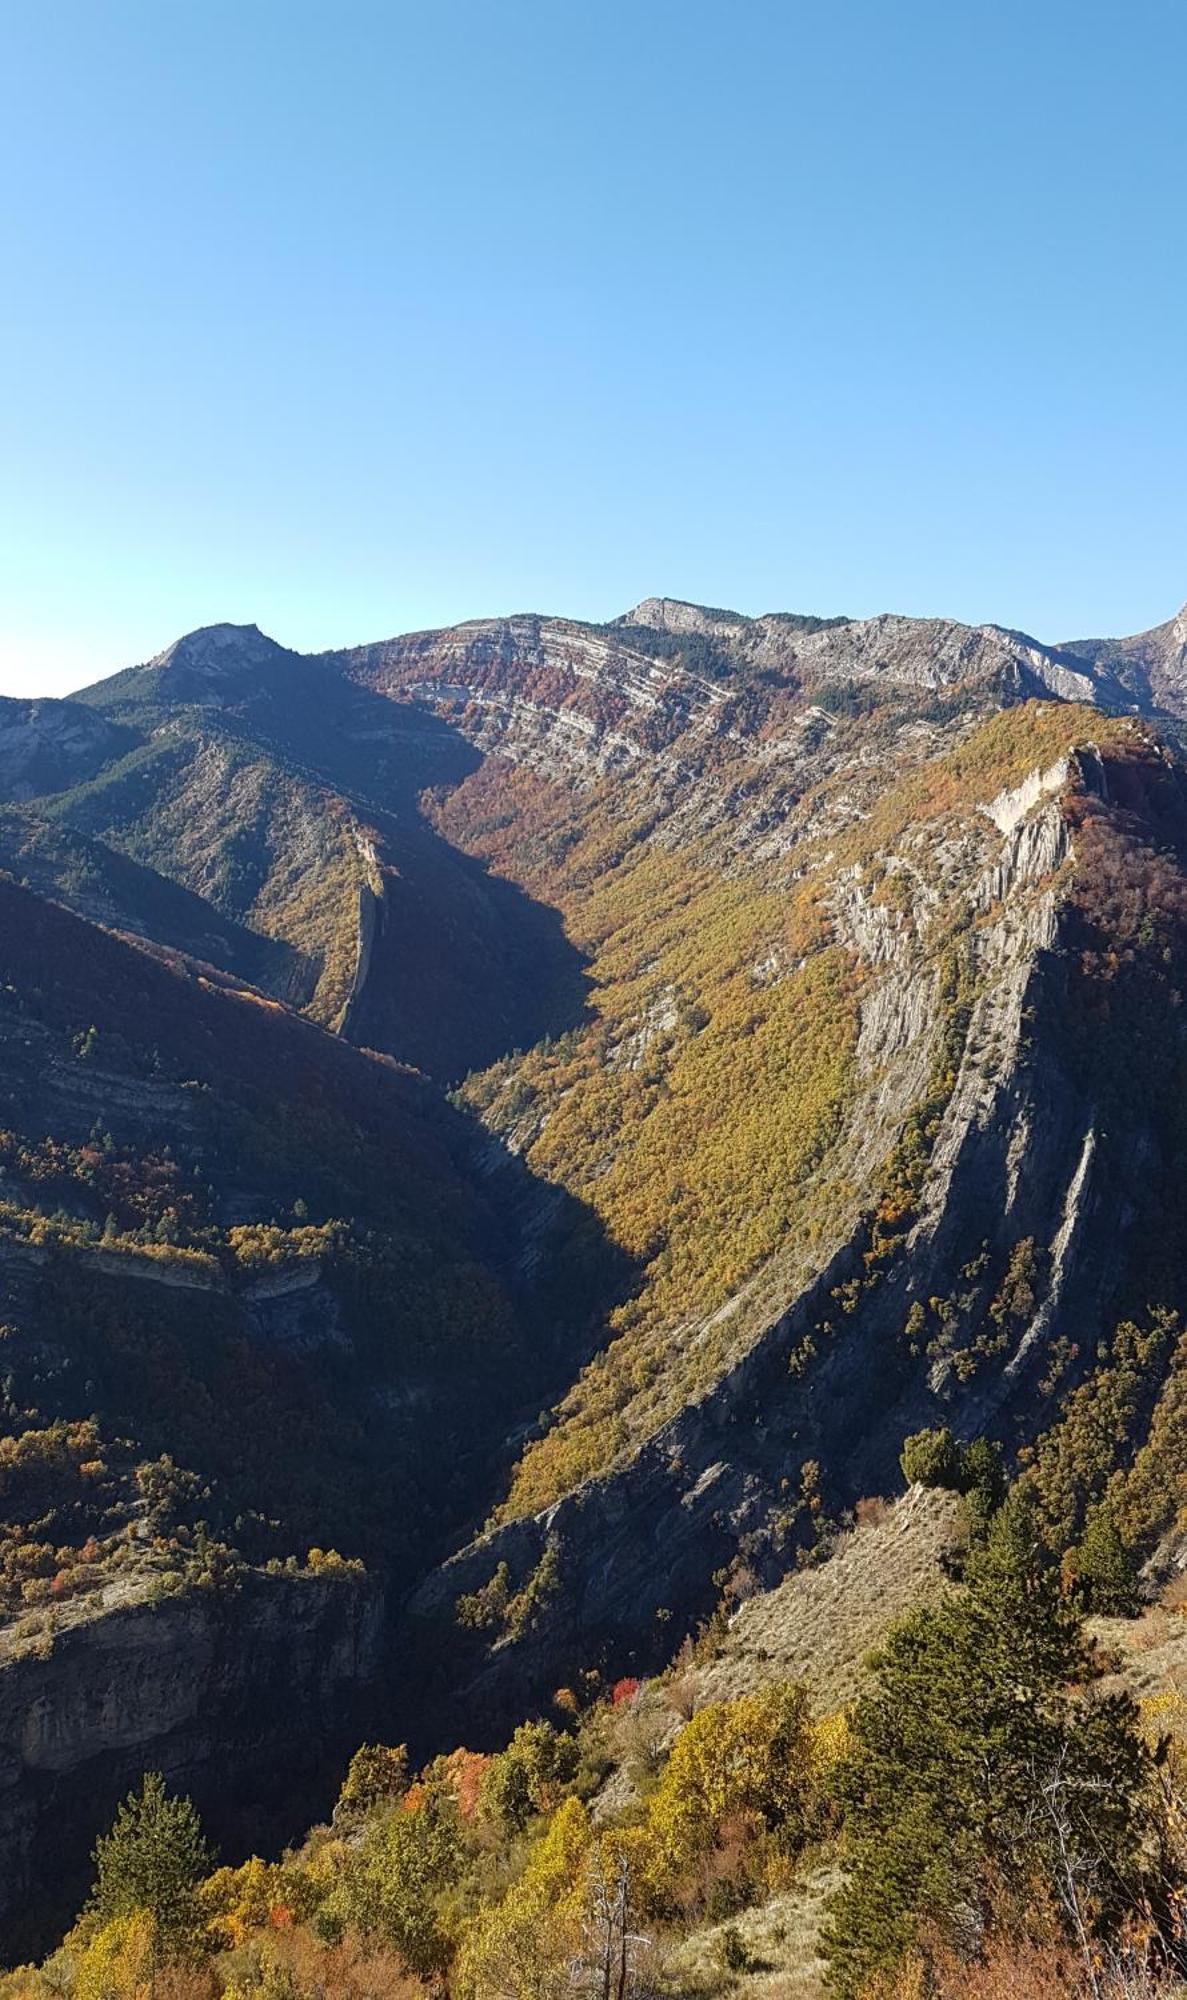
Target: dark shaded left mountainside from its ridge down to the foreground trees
point(265, 1331)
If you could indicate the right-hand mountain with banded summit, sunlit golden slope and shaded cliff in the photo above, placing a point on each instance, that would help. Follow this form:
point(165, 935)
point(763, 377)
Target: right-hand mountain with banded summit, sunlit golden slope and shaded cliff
point(888, 1013)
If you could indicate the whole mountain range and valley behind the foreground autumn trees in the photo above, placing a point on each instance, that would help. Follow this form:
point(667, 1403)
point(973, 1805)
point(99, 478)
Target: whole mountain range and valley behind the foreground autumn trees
point(517, 1121)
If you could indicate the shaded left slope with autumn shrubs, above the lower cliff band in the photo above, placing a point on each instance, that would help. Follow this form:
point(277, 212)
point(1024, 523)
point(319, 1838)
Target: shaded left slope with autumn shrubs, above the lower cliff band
point(249, 1291)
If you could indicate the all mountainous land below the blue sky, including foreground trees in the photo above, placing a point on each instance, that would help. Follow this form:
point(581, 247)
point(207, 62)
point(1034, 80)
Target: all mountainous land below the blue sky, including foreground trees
point(656, 1089)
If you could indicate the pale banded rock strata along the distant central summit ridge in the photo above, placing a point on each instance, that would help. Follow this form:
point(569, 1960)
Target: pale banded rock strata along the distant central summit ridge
point(594, 701)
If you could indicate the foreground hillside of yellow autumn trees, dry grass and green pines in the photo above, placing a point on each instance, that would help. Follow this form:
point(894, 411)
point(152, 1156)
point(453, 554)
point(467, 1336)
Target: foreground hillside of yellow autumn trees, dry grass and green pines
point(992, 1811)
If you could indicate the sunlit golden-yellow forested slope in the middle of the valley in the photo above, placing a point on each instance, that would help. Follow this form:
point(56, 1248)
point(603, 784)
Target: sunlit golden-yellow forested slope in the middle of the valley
point(704, 1109)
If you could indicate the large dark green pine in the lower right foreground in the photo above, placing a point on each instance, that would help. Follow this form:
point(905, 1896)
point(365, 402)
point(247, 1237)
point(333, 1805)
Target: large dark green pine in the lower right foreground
point(980, 1773)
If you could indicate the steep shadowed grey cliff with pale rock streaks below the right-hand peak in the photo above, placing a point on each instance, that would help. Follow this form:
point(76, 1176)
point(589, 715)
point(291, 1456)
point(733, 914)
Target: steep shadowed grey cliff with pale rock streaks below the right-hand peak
point(1022, 1153)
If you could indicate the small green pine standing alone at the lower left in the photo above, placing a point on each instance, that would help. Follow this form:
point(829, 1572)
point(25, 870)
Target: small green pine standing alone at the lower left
point(153, 1861)
